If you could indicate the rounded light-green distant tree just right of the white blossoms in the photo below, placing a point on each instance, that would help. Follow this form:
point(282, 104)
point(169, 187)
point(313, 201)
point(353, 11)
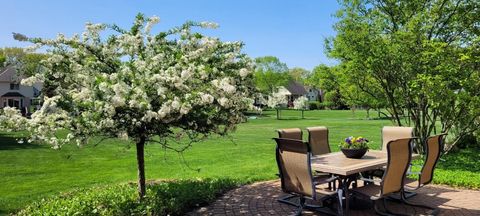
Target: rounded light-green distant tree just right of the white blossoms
point(270, 73)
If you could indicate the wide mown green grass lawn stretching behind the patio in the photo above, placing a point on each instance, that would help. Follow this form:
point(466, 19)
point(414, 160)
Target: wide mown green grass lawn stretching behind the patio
point(30, 172)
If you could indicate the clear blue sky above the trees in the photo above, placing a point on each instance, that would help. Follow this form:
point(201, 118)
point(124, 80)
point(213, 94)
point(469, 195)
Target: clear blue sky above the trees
point(294, 31)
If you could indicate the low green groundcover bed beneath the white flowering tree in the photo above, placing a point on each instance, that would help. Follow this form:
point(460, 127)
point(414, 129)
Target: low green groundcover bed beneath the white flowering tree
point(164, 198)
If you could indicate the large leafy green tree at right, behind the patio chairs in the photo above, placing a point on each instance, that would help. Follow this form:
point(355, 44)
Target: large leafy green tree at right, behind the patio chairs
point(418, 55)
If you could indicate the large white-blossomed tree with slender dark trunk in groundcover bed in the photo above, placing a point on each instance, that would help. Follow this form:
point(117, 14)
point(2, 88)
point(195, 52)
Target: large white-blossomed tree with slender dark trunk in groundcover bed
point(174, 85)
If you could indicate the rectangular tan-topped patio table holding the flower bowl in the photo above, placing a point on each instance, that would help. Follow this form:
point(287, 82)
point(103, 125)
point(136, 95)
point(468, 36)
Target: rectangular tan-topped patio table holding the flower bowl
point(347, 169)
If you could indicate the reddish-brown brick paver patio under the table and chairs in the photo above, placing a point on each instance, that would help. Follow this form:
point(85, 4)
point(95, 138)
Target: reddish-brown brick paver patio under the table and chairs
point(261, 199)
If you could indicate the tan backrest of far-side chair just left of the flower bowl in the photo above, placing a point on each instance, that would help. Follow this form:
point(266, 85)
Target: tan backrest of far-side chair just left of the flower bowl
point(318, 140)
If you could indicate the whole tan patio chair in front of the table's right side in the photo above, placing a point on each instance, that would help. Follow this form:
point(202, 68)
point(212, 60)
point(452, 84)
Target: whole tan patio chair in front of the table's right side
point(399, 156)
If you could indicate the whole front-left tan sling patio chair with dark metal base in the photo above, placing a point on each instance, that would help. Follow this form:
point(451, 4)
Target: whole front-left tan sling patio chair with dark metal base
point(293, 160)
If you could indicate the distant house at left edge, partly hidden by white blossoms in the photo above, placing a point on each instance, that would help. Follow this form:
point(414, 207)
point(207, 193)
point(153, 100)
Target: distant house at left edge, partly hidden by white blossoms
point(13, 94)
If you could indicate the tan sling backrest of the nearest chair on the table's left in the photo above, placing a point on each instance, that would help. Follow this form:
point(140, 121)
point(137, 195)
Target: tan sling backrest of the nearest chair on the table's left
point(293, 160)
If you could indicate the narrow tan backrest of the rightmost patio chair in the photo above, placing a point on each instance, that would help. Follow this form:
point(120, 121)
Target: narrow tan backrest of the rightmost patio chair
point(433, 149)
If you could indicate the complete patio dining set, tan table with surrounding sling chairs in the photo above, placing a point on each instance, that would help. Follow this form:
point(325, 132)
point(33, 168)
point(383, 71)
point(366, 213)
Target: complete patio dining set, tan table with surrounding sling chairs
point(310, 171)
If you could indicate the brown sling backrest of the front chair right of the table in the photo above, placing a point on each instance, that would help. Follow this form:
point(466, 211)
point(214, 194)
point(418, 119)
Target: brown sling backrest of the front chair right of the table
point(399, 156)
